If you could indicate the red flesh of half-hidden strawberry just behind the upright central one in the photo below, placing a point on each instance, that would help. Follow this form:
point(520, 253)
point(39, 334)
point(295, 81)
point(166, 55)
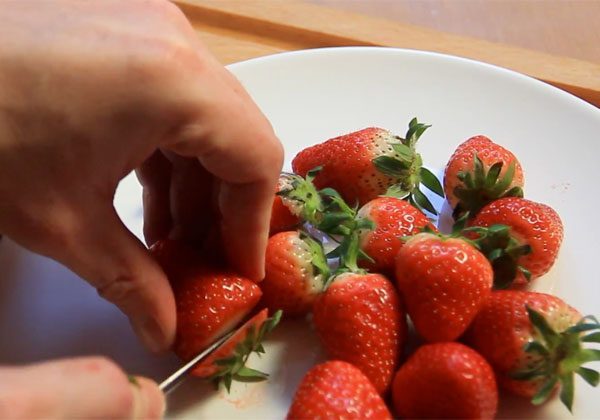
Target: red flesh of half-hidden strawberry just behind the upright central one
point(394, 219)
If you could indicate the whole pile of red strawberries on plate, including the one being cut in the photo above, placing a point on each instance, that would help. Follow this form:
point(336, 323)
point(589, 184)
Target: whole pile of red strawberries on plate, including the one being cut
point(353, 250)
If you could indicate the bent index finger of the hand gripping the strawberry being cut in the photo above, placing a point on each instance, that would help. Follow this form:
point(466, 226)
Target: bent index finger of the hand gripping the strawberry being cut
point(233, 140)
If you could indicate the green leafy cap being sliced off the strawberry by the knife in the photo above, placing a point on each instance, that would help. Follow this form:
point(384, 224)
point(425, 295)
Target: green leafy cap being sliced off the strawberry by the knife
point(234, 367)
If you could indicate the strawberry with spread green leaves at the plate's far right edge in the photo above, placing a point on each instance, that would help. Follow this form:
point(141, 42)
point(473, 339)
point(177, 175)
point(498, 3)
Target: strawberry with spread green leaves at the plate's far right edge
point(534, 343)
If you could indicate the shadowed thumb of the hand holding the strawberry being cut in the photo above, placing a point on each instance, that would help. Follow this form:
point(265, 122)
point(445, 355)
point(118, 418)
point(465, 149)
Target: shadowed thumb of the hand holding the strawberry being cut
point(112, 259)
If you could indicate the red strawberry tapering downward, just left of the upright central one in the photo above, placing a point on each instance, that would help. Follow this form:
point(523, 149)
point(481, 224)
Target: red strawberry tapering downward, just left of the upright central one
point(359, 319)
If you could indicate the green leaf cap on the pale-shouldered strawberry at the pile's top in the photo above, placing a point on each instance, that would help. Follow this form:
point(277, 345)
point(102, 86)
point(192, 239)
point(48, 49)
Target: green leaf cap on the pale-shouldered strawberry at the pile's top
point(406, 167)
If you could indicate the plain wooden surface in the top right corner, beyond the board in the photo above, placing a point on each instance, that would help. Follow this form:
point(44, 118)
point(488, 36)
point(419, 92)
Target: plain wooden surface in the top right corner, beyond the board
point(570, 28)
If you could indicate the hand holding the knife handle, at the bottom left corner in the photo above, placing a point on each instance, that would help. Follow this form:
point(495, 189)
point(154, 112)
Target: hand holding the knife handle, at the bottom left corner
point(76, 388)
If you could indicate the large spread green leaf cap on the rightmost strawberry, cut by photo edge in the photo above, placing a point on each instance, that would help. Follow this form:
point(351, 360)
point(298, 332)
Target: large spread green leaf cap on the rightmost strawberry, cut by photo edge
point(560, 355)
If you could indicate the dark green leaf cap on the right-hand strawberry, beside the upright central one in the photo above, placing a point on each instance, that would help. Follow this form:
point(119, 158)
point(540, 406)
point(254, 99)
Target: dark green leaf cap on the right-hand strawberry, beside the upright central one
point(502, 250)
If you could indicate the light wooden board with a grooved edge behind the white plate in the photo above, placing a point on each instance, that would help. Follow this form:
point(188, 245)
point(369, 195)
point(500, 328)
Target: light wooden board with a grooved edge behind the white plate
point(237, 30)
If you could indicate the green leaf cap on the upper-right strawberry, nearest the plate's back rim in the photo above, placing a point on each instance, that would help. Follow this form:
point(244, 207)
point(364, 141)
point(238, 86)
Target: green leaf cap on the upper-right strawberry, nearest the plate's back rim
point(480, 187)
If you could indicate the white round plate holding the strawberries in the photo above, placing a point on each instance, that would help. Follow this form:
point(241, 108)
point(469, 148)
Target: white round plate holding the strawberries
point(310, 96)
